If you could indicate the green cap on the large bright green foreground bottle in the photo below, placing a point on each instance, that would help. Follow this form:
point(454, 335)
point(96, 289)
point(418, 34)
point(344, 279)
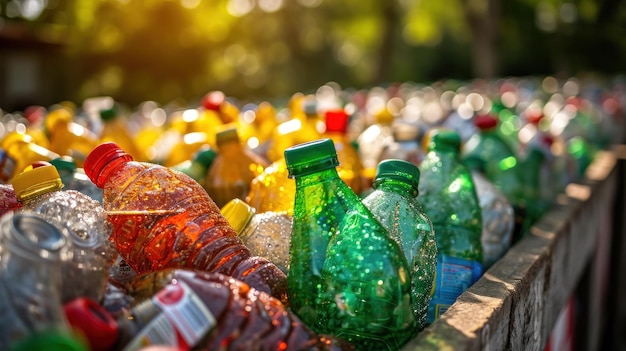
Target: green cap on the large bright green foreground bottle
point(311, 157)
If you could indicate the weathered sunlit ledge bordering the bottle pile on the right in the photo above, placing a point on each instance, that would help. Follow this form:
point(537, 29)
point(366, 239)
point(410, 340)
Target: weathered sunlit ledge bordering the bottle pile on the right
point(516, 303)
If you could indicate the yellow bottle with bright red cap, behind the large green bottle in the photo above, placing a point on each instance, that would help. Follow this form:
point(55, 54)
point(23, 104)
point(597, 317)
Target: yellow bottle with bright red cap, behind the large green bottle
point(350, 167)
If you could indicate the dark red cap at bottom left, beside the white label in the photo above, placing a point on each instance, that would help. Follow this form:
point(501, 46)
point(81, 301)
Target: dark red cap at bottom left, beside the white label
point(94, 321)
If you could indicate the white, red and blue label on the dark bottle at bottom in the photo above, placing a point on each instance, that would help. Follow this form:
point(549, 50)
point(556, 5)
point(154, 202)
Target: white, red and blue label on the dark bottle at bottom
point(183, 321)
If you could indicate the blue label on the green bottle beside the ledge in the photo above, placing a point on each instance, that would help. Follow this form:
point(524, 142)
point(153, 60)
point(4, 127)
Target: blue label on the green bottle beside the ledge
point(453, 276)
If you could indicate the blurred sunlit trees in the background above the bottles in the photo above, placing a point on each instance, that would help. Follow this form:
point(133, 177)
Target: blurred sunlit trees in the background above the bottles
point(164, 50)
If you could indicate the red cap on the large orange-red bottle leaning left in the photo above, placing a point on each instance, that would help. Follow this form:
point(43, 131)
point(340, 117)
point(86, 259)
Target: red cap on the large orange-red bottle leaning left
point(96, 163)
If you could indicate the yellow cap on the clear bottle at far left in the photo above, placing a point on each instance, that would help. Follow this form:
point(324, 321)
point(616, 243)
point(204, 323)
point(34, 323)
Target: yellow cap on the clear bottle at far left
point(36, 181)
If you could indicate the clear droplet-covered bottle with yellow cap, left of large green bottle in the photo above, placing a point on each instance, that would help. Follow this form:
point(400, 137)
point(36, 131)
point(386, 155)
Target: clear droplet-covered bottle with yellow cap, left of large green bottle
point(266, 234)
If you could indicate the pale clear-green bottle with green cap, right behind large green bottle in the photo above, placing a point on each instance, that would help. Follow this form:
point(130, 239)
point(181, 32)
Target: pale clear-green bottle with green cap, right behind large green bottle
point(394, 203)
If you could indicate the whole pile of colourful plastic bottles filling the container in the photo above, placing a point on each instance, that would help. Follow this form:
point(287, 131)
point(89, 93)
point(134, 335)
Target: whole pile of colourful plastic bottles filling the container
point(346, 219)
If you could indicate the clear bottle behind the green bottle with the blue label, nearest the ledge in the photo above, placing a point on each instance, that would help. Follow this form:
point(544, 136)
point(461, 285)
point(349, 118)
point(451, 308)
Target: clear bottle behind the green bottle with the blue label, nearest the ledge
point(497, 214)
